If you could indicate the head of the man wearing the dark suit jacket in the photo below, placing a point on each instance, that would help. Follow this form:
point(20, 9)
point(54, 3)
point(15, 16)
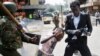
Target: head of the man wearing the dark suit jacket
point(75, 7)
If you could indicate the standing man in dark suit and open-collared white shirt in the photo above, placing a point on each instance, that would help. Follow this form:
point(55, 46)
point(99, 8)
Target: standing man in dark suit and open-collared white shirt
point(75, 27)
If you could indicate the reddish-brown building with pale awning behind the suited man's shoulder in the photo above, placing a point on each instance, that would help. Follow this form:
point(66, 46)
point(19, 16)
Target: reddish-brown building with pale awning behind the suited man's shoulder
point(91, 6)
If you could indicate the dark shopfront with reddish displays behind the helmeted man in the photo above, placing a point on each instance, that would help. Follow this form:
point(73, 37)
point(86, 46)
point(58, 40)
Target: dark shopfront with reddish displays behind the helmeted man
point(26, 7)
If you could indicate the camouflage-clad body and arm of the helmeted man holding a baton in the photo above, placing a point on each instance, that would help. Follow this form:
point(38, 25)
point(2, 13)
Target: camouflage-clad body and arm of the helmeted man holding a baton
point(11, 38)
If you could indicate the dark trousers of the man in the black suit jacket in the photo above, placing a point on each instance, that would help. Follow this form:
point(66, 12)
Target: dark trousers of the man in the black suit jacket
point(84, 50)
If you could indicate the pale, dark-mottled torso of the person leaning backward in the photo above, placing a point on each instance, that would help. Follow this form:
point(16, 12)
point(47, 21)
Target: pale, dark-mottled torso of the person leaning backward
point(48, 47)
